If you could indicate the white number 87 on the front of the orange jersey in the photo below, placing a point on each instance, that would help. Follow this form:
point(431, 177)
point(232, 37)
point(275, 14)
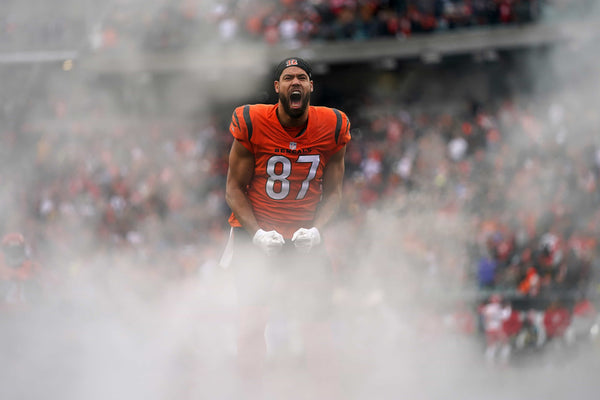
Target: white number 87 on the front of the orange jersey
point(286, 170)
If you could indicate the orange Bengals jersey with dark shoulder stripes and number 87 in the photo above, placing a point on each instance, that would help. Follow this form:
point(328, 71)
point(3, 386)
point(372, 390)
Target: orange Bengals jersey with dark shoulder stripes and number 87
point(288, 168)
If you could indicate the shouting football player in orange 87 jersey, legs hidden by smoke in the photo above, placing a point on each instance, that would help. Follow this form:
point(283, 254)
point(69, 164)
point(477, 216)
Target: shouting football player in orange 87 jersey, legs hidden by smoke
point(284, 184)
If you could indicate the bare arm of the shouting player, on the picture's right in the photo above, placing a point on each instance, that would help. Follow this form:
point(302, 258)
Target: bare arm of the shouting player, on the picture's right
point(333, 177)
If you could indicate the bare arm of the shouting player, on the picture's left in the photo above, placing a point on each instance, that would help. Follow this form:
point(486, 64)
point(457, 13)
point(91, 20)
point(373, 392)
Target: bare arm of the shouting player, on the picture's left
point(239, 175)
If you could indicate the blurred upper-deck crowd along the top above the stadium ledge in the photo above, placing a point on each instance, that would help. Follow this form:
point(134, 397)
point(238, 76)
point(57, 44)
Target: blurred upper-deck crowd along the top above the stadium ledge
point(168, 25)
